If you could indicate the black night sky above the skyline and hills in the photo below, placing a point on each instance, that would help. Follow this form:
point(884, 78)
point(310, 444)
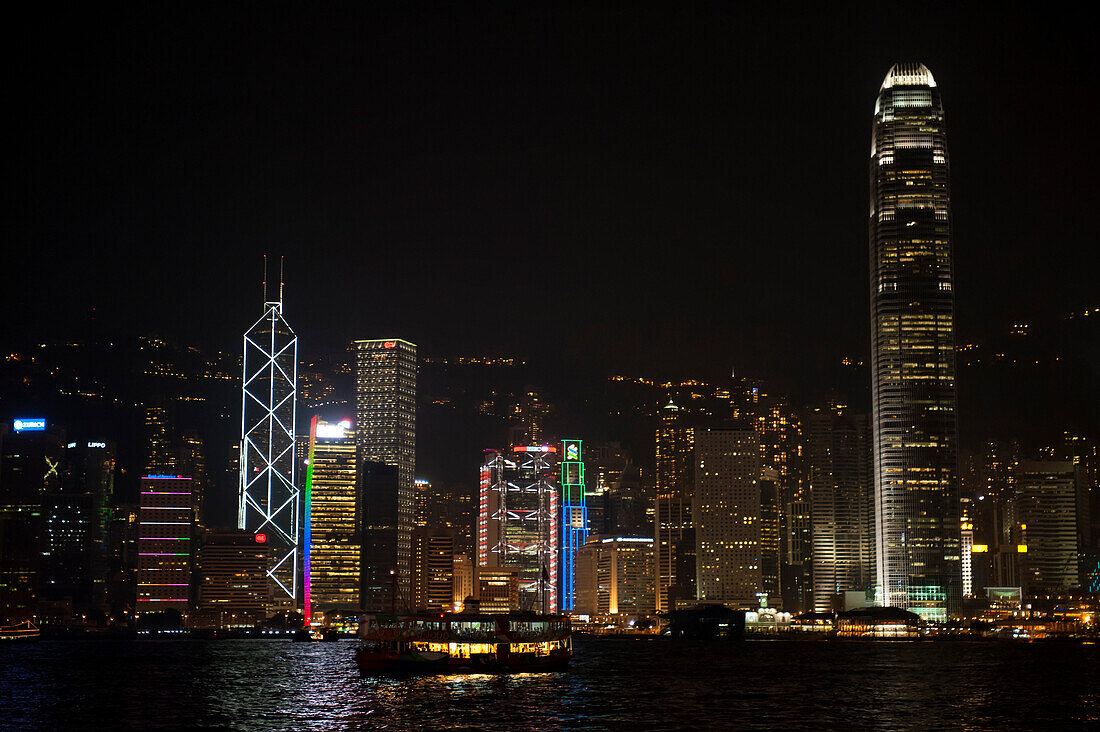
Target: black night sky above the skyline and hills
point(673, 192)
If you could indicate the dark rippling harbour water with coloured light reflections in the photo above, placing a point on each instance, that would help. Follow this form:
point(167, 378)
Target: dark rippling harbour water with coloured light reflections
point(614, 684)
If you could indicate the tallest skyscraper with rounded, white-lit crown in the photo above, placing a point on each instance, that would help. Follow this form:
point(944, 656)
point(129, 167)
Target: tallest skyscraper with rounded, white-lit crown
point(917, 514)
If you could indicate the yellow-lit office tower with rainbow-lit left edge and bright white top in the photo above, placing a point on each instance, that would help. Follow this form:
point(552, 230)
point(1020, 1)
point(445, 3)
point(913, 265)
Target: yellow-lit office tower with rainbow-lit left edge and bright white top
point(332, 507)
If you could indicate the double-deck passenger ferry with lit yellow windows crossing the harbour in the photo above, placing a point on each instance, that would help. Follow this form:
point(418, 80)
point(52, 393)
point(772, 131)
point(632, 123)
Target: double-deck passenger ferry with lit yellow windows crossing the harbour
point(465, 642)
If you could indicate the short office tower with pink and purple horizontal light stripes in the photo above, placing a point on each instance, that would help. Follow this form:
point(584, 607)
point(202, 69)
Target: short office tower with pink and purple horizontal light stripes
point(167, 530)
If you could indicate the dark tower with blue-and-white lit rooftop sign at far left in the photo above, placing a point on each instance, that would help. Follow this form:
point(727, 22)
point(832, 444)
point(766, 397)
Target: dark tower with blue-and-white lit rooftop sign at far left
point(31, 466)
